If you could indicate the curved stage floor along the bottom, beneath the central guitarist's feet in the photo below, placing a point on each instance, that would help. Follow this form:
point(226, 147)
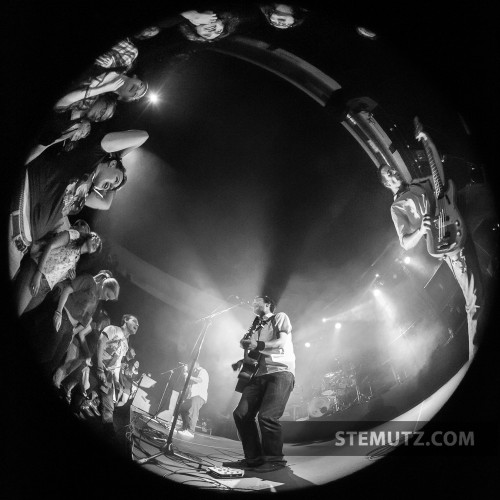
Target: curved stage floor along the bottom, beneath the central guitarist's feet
point(309, 464)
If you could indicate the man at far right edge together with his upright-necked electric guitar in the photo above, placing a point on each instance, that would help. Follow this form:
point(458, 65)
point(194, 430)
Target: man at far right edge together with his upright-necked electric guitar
point(426, 208)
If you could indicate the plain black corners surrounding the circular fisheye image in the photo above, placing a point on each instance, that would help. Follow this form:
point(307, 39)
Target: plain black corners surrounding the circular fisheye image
point(48, 42)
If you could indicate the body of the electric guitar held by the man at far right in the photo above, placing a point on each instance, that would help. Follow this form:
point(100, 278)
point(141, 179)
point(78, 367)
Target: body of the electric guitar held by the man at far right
point(448, 231)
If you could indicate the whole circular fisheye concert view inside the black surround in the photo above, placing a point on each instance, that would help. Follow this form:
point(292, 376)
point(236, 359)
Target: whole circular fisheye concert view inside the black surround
point(253, 257)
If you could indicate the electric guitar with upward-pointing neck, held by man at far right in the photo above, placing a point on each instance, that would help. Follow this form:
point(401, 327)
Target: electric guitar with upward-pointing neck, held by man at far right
point(448, 231)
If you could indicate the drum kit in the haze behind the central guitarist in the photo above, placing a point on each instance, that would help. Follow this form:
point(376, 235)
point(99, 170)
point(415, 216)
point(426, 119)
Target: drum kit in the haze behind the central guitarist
point(337, 391)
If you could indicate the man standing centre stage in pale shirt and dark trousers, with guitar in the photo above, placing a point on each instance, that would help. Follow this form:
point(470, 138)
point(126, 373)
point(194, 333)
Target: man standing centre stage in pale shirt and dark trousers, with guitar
point(266, 379)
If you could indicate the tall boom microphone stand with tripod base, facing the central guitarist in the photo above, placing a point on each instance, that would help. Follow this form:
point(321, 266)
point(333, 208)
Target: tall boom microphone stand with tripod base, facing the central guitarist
point(167, 448)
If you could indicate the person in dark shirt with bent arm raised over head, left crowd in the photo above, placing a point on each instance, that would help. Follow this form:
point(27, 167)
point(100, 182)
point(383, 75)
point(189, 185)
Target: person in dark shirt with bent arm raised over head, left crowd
point(57, 186)
